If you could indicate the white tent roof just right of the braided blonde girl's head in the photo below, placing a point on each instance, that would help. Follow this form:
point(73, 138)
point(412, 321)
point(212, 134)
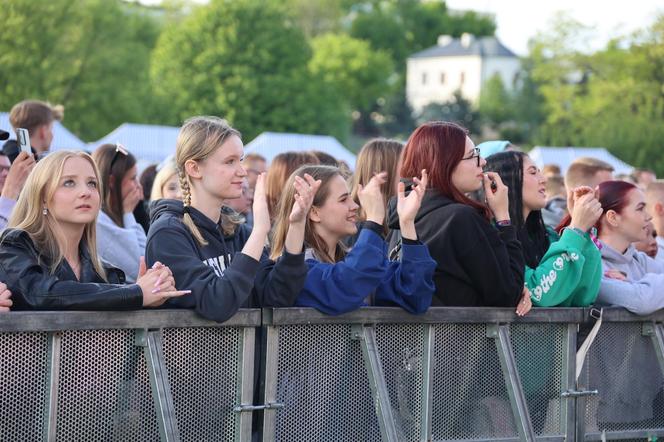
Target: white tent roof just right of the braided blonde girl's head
point(270, 144)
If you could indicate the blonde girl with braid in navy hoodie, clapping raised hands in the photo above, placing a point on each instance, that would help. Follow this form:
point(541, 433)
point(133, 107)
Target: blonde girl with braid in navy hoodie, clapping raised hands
point(206, 245)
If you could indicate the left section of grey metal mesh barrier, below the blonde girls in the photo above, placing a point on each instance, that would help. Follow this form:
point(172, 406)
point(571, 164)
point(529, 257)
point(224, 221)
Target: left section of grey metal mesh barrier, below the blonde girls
point(125, 376)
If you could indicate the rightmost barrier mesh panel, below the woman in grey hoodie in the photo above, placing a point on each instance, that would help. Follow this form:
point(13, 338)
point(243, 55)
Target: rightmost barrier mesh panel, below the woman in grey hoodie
point(623, 367)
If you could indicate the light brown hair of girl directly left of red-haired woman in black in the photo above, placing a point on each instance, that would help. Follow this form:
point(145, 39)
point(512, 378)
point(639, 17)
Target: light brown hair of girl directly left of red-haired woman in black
point(377, 155)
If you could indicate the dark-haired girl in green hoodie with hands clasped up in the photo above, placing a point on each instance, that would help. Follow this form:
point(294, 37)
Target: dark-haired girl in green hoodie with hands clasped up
point(561, 270)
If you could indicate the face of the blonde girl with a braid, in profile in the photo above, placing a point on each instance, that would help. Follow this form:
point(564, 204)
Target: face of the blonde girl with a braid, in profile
point(221, 174)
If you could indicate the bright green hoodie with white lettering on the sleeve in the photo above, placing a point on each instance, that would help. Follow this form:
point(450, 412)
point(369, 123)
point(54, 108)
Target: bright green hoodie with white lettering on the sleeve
point(569, 274)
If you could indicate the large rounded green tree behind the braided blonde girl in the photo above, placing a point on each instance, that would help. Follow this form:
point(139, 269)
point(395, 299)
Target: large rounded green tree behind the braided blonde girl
point(246, 61)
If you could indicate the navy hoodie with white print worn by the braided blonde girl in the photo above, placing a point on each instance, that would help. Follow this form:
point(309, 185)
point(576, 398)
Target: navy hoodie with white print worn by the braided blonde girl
point(220, 277)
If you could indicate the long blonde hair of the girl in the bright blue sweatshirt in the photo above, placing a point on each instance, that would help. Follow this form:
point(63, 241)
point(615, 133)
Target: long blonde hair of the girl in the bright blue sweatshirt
point(311, 239)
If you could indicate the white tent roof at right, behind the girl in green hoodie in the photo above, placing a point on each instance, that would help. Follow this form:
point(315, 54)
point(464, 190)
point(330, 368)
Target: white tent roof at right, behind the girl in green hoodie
point(563, 157)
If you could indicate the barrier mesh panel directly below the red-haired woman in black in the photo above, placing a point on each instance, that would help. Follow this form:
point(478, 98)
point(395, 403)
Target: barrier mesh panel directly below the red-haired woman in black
point(469, 396)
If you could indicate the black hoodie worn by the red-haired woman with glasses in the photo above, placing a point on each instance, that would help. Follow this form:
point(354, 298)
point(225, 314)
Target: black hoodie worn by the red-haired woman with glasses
point(477, 263)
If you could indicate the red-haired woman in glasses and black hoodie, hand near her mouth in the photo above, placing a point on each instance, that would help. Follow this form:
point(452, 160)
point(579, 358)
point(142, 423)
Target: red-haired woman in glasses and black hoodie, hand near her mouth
point(479, 263)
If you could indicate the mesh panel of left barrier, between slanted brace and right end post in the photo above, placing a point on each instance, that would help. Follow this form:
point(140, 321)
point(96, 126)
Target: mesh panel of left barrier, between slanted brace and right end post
point(204, 377)
